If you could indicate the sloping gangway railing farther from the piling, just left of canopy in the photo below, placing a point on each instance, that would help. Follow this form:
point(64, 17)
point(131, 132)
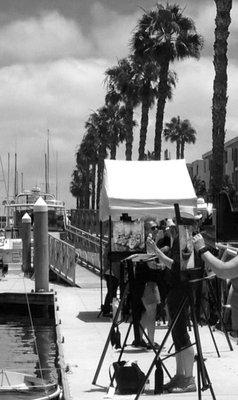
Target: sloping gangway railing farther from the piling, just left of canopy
point(87, 247)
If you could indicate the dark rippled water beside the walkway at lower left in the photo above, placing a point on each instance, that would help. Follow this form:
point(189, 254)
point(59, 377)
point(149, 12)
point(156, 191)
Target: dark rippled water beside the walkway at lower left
point(19, 345)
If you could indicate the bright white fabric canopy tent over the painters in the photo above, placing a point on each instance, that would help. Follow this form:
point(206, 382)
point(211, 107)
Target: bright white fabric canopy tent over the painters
point(145, 188)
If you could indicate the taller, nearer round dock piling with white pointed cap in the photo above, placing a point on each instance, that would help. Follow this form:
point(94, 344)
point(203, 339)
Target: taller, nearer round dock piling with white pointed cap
point(41, 246)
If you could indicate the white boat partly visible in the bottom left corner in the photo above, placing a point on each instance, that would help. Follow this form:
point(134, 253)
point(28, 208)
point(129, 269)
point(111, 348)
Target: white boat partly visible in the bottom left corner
point(16, 384)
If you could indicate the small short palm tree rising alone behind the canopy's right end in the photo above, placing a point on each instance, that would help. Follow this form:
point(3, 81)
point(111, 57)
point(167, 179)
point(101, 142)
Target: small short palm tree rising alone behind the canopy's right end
point(180, 132)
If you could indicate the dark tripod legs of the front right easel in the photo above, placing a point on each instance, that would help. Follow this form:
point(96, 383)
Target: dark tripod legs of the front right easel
point(203, 379)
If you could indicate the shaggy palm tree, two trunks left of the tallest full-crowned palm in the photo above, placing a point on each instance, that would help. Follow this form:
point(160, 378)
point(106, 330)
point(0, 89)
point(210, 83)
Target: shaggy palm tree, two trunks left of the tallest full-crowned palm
point(121, 84)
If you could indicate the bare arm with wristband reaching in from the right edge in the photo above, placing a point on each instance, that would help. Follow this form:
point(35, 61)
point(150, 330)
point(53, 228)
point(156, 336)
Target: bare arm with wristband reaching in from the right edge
point(223, 269)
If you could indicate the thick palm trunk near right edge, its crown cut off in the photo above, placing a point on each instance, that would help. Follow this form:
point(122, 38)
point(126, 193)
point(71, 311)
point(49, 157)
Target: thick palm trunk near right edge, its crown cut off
point(219, 100)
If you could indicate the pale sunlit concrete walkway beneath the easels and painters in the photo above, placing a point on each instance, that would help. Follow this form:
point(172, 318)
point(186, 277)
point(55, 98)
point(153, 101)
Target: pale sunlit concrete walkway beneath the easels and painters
point(85, 334)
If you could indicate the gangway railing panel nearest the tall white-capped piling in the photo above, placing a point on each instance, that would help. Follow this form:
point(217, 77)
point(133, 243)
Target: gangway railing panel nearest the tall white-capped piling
point(62, 258)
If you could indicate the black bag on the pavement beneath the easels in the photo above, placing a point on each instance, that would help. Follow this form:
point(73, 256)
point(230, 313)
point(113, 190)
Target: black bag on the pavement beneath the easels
point(129, 378)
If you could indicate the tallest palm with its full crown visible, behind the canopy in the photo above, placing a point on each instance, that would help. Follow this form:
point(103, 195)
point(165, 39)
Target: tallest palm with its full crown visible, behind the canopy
point(164, 35)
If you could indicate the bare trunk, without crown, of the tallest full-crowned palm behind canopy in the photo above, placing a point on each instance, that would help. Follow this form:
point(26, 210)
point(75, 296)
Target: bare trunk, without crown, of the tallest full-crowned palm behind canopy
point(162, 95)
